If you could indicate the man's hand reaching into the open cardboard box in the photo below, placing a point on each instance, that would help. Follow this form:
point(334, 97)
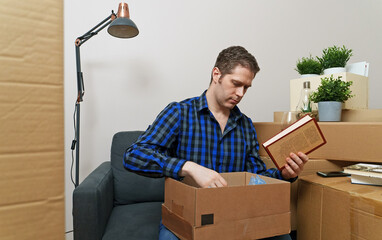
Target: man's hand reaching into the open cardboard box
point(203, 176)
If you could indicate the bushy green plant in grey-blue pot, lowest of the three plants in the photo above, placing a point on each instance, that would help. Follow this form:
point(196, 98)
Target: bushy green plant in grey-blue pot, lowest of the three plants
point(330, 95)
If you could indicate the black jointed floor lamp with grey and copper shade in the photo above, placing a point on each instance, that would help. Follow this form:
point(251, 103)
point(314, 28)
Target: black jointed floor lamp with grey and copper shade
point(121, 26)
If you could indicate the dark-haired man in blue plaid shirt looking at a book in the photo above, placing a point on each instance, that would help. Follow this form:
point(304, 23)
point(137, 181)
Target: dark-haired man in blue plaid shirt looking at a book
point(203, 136)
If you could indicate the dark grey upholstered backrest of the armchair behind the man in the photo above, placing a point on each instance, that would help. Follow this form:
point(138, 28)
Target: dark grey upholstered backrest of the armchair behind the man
point(130, 187)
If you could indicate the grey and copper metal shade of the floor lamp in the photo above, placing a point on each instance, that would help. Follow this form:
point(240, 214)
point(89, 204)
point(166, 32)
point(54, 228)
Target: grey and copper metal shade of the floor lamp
point(123, 26)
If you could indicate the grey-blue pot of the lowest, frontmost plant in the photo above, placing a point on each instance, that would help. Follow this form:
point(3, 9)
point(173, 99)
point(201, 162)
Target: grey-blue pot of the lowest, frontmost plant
point(329, 111)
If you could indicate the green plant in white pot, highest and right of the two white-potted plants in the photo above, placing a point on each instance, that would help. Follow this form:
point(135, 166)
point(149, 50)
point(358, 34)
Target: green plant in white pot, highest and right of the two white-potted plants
point(334, 59)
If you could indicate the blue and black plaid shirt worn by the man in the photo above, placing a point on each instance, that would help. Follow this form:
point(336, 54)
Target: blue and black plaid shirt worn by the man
point(187, 131)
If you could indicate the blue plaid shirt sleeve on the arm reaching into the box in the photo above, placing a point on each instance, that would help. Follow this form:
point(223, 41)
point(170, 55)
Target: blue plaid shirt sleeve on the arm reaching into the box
point(151, 154)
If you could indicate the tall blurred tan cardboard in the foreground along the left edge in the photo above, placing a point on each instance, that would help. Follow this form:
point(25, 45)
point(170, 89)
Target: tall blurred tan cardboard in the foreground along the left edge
point(31, 120)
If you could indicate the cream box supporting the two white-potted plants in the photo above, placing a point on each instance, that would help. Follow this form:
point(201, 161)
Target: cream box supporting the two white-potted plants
point(360, 89)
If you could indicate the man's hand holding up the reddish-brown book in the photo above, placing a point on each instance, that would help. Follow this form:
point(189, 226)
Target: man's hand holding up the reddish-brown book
point(294, 166)
